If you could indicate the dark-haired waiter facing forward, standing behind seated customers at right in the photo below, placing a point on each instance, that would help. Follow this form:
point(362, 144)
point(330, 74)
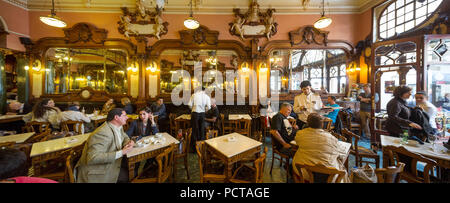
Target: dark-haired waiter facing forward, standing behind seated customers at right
point(306, 103)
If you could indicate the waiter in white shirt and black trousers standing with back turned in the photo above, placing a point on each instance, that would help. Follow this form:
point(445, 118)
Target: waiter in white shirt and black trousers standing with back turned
point(200, 102)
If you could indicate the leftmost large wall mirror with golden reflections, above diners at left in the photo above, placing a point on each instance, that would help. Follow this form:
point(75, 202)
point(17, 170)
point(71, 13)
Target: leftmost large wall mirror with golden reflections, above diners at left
point(70, 69)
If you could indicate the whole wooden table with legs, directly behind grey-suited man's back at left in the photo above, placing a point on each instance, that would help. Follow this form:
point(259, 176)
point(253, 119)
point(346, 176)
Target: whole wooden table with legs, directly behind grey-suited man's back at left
point(48, 150)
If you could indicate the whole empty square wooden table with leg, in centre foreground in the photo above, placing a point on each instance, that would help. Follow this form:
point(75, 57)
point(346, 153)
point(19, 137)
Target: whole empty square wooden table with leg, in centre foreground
point(232, 151)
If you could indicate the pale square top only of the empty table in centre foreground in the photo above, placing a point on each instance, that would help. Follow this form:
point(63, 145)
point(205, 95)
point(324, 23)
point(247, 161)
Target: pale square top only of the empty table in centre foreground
point(230, 148)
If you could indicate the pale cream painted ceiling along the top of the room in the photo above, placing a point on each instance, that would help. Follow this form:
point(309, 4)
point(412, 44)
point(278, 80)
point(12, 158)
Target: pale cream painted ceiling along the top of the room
point(204, 6)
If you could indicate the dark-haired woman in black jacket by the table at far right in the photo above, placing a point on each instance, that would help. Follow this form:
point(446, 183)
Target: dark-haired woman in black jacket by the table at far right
point(399, 113)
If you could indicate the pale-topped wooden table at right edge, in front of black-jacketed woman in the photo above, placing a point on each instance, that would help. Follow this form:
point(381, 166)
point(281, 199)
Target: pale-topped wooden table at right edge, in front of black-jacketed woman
point(441, 154)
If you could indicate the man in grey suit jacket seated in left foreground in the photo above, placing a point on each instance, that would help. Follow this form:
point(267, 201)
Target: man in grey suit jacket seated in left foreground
point(101, 160)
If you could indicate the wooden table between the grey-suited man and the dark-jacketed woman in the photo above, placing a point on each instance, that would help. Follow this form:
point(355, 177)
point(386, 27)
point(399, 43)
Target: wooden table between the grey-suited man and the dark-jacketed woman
point(139, 154)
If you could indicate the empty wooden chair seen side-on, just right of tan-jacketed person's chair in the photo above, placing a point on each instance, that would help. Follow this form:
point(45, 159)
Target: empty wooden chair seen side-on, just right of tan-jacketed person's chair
point(358, 151)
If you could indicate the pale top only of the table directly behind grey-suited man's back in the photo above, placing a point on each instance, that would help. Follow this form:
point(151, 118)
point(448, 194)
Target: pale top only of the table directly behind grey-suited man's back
point(49, 146)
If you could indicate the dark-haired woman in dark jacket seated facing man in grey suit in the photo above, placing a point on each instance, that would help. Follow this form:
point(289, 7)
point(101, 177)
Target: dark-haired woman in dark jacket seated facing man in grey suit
point(144, 126)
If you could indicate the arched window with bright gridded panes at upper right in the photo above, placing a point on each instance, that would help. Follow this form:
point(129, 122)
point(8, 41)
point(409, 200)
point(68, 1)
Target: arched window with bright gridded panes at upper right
point(403, 15)
